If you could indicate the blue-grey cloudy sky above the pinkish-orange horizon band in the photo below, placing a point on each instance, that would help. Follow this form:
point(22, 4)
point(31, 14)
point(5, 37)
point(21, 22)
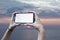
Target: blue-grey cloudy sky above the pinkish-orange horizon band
point(47, 8)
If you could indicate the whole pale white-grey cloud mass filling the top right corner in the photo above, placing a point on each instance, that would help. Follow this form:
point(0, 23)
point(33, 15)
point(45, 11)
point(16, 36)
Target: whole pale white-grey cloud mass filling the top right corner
point(43, 3)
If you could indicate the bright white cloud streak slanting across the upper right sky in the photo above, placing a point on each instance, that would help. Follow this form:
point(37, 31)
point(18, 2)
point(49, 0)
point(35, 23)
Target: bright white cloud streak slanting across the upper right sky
point(41, 4)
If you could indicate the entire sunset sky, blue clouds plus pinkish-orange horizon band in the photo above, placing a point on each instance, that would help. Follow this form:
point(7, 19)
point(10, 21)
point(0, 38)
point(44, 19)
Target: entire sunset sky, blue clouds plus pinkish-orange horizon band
point(48, 9)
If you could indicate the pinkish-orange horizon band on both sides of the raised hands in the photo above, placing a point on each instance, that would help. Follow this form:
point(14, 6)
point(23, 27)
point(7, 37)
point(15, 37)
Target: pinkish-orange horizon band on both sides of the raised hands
point(45, 21)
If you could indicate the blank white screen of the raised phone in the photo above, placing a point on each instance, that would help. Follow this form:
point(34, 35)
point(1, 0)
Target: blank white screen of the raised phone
point(24, 18)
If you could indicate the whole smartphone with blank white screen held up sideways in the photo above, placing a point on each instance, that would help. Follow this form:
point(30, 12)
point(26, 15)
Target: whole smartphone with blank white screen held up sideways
point(24, 18)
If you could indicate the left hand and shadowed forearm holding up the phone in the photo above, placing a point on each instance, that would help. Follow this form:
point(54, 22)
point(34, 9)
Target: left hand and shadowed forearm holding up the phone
point(10, 29)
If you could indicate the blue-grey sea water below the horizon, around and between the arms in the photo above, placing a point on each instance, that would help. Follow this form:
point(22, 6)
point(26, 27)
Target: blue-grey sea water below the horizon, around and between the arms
point(22, 33)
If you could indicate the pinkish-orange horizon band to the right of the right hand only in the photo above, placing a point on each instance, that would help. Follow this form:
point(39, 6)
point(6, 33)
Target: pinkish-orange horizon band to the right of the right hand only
point(50, 21)
